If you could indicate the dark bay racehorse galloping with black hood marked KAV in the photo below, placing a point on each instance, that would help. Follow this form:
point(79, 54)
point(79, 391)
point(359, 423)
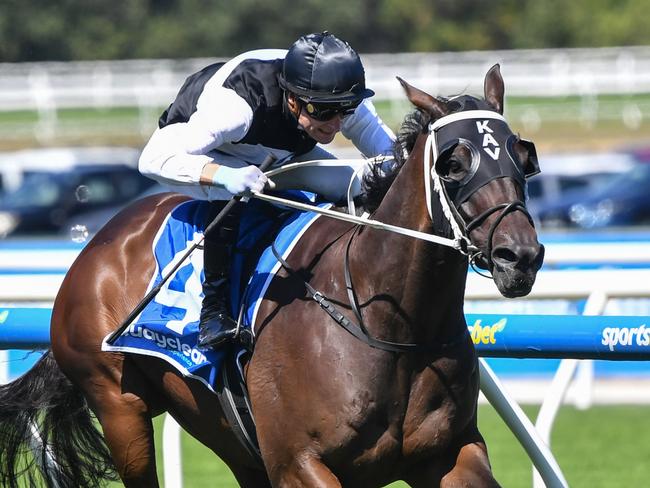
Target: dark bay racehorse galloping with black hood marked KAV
point(331, 411)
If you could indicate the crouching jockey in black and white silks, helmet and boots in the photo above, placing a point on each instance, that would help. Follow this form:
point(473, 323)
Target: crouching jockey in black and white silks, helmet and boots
point(229, 117)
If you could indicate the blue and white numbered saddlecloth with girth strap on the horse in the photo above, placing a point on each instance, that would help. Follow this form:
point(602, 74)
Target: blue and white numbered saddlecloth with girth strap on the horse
point(167, 328)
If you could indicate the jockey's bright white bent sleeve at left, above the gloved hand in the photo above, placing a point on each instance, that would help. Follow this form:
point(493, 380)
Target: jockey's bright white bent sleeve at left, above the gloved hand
point(176, 154)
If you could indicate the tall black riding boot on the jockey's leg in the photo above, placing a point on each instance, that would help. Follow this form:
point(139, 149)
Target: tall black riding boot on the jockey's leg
point(216, 326)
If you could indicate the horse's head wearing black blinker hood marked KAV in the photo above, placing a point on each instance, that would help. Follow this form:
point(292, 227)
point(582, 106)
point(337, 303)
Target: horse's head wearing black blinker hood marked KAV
point(477, 168)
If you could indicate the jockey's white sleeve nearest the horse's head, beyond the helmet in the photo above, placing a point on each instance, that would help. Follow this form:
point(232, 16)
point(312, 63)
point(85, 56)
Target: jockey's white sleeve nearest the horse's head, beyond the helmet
point(367, 131)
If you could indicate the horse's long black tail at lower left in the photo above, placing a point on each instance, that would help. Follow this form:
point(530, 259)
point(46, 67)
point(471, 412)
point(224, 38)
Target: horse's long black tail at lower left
point(70, 452)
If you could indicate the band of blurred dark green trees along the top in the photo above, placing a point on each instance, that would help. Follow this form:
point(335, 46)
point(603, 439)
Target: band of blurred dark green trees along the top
point(96, 29)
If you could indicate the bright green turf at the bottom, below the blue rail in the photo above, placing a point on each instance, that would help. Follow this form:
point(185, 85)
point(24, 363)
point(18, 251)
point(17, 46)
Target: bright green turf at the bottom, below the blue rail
point(602, 447)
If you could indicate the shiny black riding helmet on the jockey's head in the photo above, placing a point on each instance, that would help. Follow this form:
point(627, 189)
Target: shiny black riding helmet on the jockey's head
point(323, 69)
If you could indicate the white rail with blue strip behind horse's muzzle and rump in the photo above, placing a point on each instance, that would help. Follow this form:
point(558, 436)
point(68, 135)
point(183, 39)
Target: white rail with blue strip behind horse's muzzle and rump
point(35, 275)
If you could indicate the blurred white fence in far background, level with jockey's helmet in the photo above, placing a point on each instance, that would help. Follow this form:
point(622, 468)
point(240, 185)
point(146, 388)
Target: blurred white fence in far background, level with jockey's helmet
point(150, 84)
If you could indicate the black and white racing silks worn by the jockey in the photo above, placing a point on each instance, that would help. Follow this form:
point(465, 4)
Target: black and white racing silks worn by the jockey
point(234, 114)
